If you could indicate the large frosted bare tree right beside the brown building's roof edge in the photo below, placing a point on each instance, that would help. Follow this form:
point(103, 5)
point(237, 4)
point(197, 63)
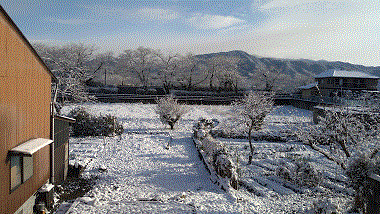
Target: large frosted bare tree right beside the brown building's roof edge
point(71, 64)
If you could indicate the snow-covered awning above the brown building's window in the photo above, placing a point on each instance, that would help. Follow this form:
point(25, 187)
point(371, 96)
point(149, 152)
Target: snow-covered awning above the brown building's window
point(31, 146)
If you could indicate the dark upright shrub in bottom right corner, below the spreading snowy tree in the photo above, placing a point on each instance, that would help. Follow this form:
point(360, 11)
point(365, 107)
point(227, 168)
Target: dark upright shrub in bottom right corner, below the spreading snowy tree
point(358, 171)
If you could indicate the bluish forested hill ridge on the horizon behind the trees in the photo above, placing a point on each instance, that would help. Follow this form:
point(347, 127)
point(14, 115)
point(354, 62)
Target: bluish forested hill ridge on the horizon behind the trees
point(250, 63)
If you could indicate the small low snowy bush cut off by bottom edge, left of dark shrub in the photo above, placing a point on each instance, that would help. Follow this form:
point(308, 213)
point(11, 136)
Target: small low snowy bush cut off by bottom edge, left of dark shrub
point(324, 206)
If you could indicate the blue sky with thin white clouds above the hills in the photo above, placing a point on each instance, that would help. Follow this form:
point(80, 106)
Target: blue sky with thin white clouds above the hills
point(312, 29)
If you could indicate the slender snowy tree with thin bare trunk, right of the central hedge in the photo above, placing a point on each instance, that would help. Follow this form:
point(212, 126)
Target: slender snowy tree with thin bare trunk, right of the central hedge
point(252, 110)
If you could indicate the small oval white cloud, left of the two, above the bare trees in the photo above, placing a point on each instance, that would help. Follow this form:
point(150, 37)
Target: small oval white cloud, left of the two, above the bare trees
point(156, 14)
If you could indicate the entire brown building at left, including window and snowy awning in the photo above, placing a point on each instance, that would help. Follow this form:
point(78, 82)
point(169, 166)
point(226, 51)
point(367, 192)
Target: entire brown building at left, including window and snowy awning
point(25, 120)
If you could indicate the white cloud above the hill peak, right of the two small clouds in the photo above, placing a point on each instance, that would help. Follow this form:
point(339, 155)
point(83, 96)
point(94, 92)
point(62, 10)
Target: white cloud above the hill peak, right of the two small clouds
point(206, 21)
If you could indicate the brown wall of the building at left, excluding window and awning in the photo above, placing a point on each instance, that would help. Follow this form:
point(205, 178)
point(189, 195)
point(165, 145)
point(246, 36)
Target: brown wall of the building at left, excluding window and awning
point(25, 88)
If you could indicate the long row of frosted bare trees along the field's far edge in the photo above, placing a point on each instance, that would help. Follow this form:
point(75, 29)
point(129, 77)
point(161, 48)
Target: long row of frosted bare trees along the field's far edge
point(78, 65)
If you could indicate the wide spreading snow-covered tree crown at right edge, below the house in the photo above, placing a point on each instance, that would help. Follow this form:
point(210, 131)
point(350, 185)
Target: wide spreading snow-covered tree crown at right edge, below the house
point(341, 134)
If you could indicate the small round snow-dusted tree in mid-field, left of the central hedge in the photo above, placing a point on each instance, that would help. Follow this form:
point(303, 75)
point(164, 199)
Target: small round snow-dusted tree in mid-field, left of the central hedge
point(169, 110)
